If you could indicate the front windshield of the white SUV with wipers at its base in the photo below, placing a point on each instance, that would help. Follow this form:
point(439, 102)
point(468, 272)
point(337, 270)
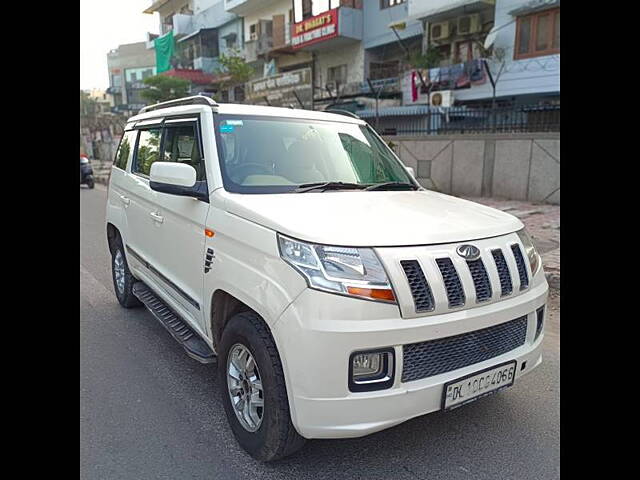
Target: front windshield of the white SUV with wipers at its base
point(277, 155)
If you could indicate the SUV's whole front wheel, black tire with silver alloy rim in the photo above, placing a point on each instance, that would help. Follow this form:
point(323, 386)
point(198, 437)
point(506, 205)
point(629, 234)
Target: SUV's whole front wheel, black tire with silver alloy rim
point(253, 389)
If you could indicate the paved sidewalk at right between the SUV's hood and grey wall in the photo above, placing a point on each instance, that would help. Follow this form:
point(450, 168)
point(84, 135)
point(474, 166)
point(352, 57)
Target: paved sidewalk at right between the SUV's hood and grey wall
point(543, 224)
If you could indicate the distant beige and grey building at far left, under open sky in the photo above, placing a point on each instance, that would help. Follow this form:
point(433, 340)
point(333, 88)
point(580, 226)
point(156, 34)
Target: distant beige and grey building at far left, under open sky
point(128, 66)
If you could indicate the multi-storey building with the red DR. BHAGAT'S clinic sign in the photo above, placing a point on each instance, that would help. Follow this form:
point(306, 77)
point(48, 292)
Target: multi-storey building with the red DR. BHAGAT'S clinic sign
point(344, 51)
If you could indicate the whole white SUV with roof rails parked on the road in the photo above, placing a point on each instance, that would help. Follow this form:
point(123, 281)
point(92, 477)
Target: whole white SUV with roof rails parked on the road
point(339, 297)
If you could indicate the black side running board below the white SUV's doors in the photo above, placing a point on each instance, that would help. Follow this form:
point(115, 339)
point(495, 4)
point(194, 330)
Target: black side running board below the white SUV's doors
point(193, 344)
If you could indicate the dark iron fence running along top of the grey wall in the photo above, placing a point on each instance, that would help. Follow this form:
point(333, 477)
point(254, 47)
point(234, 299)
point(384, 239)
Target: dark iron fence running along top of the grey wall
point(453, 120)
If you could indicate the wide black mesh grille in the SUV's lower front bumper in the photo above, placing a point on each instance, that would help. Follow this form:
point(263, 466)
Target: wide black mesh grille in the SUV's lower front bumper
point(426, 359)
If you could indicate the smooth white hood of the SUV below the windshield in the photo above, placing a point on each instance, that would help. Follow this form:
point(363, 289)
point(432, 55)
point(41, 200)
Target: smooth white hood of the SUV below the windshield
point(372, 219)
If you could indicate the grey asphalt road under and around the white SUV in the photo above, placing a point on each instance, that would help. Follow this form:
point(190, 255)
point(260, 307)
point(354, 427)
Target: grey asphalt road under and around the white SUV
point(148, 411)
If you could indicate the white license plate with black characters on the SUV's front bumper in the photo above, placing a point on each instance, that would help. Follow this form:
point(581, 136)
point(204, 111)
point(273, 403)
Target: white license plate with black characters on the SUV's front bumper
point(477, 385)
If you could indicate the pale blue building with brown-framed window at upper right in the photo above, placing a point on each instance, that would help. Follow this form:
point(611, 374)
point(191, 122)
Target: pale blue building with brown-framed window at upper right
point(512, 44)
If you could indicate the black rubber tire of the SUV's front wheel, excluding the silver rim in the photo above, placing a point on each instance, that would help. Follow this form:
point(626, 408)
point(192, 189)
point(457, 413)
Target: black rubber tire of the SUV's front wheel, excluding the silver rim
point(276, 436)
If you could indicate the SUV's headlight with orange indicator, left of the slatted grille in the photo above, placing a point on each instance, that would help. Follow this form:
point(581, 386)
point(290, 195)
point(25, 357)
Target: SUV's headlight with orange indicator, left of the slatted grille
point(349, 271)
